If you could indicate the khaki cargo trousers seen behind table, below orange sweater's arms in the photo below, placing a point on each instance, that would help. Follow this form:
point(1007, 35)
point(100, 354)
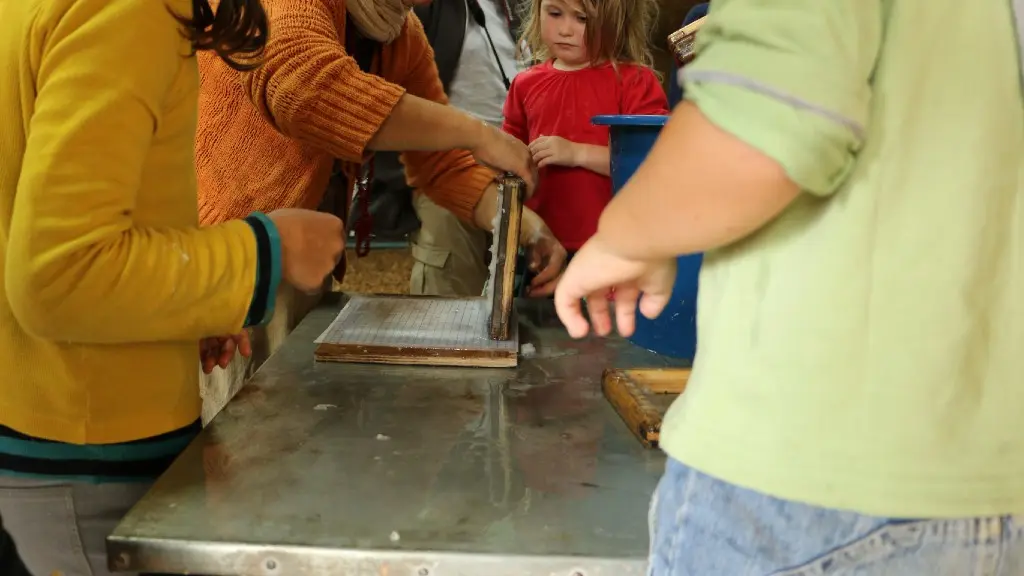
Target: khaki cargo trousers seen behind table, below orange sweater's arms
point(451, 256)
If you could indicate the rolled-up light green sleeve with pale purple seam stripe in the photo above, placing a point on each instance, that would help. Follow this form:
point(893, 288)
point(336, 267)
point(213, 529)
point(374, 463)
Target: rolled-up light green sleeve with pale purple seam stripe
point(791, 78)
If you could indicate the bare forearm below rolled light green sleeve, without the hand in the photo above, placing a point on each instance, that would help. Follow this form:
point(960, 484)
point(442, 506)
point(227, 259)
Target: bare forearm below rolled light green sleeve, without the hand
point(701, 188)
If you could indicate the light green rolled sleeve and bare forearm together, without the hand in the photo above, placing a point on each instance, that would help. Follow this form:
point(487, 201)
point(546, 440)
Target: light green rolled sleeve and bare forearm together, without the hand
point(779, 98)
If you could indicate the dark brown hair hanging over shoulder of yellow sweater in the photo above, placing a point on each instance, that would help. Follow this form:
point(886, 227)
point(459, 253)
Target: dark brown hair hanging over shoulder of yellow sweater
point(237, 31)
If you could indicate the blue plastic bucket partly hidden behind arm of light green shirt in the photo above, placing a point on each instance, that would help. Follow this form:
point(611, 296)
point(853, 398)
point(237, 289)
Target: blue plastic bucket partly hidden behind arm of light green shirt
point(674, 333)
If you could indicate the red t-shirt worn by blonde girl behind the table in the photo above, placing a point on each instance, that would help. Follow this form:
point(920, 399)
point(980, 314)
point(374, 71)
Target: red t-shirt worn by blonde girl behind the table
point(547, 102)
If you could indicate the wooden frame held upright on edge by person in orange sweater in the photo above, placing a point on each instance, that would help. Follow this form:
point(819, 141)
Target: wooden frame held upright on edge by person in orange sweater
point(509, 219)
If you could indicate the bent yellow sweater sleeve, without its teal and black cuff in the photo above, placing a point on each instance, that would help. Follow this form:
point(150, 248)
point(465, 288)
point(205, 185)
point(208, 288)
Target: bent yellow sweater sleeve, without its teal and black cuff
point(78, 268)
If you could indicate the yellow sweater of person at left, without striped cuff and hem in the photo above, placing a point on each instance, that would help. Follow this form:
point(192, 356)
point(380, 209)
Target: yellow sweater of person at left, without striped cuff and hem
point(108, 283)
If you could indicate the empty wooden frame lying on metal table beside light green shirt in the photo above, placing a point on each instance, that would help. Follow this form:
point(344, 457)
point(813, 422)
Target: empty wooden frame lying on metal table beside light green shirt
point(634, 395)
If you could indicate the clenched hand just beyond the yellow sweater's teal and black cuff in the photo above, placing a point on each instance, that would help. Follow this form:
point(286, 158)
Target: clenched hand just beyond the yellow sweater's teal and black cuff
point(312, 244)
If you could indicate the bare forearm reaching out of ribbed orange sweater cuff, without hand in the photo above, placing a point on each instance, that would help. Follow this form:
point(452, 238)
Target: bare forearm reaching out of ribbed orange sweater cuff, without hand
point(419, 125)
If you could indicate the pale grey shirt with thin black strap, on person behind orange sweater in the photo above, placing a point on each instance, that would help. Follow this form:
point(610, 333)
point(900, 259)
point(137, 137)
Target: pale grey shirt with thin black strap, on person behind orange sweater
point(478, 87)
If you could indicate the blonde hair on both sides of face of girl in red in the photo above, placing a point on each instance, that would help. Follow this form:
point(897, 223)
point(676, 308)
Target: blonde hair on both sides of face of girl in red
point(618, 31)
